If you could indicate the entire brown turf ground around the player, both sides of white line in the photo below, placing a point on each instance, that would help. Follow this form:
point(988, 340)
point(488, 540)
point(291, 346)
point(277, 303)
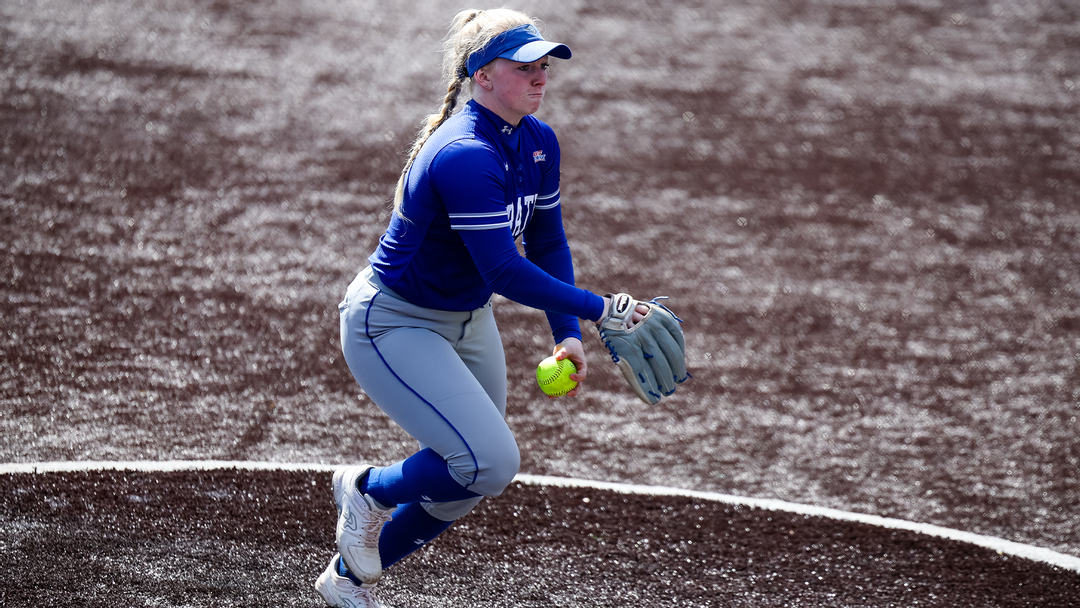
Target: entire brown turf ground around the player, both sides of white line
point(867, 213)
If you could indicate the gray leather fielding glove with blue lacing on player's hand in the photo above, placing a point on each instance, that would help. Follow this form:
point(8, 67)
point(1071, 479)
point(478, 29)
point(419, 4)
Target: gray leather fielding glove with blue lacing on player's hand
point(652, 355)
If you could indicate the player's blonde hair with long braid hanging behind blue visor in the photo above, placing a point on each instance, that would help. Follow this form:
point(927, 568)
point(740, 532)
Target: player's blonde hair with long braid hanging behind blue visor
point(470, 32)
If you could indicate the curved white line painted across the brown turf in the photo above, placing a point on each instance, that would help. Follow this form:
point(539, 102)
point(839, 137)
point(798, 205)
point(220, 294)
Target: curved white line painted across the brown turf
point(1001, 546)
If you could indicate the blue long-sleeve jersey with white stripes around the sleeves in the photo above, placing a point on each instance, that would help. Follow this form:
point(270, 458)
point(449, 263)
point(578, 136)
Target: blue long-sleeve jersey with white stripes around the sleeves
point(478, 185)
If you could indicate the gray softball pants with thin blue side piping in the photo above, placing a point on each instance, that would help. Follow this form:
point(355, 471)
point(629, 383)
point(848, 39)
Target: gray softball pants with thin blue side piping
point(441, 376)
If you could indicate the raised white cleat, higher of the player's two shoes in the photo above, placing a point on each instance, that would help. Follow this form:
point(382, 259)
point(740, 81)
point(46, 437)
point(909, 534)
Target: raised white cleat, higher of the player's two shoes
point(360, 524)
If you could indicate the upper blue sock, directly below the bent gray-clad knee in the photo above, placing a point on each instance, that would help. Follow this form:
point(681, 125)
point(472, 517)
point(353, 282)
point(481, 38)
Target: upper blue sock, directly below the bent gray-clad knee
point(422, 478)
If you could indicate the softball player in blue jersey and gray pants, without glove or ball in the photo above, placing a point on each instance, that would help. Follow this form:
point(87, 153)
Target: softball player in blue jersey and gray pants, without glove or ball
point(417, 328)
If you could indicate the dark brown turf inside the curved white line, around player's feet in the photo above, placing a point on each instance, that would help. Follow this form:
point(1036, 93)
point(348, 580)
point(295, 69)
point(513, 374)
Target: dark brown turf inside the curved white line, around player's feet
point(239, 537)
